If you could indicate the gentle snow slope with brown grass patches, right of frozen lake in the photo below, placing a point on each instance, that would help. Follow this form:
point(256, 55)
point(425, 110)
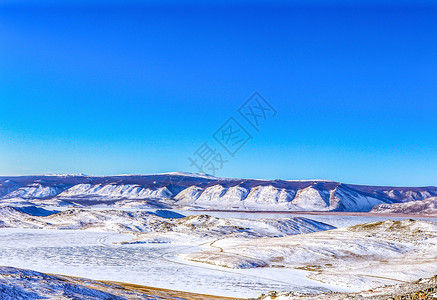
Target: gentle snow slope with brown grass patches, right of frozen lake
point(362, 256)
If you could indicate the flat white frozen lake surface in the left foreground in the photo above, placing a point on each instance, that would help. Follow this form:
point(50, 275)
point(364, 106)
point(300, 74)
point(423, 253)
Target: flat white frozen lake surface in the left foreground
point(92, 255)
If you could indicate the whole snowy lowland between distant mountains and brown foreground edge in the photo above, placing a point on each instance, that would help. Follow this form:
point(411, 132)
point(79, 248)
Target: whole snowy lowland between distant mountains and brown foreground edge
point(184, 254)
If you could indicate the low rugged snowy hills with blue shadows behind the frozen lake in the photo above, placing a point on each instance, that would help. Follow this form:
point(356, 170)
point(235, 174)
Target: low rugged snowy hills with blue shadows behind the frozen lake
point(160, 221)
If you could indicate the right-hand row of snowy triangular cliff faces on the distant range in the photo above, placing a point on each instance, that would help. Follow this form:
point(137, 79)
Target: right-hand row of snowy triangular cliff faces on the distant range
point(271, 198)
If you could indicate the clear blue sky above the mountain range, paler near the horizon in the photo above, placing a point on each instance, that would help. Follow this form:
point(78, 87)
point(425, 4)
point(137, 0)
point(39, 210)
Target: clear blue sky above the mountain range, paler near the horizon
point(115, 88)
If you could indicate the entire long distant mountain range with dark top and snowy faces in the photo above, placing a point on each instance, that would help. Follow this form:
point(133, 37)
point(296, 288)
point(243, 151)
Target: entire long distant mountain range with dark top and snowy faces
point(199, 191)
